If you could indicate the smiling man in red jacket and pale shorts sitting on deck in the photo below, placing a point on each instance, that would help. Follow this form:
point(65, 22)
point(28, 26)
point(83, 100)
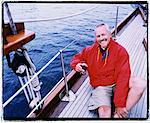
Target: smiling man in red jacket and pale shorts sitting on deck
point(108, 67)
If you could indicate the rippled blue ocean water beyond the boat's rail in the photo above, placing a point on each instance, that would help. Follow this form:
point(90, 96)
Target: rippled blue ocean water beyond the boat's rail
point(51, 36)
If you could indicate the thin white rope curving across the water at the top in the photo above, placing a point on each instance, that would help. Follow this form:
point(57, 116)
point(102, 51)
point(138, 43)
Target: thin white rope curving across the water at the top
point(54, 19)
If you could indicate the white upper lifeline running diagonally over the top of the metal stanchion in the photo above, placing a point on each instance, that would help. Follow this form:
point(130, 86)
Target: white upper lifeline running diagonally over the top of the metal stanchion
point(36, 74)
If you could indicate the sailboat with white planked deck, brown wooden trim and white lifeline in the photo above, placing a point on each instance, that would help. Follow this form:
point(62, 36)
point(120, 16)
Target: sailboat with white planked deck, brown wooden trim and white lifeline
point(69, 97)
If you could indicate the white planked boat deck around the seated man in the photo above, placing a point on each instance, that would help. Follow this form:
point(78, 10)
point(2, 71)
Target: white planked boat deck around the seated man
point(131, 39)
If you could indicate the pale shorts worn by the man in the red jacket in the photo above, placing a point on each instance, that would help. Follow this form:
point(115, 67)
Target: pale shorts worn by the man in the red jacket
point(101, 95)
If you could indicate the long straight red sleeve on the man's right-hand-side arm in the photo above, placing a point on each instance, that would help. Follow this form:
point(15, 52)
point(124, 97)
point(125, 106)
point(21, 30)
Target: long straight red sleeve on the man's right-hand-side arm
point(122, 74)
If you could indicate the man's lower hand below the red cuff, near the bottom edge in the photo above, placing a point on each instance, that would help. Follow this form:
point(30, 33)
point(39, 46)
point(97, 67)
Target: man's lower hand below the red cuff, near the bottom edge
point(121, 112)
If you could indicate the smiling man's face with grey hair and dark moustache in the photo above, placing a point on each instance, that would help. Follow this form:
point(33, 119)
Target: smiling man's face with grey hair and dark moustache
point(102, 36)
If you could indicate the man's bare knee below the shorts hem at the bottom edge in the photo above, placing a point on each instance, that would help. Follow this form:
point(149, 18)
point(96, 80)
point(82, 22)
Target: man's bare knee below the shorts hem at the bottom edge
point(104, 111)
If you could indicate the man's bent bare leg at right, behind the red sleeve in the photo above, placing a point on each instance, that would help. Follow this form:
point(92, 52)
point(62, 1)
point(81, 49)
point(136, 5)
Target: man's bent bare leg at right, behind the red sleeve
point(137, 87)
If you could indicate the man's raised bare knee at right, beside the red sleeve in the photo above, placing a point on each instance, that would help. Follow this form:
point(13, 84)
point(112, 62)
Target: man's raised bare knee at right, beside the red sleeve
point(138, 84)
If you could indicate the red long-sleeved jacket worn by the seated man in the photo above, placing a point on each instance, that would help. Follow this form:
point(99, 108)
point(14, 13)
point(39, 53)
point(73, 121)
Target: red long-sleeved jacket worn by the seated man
point(114, 69)
